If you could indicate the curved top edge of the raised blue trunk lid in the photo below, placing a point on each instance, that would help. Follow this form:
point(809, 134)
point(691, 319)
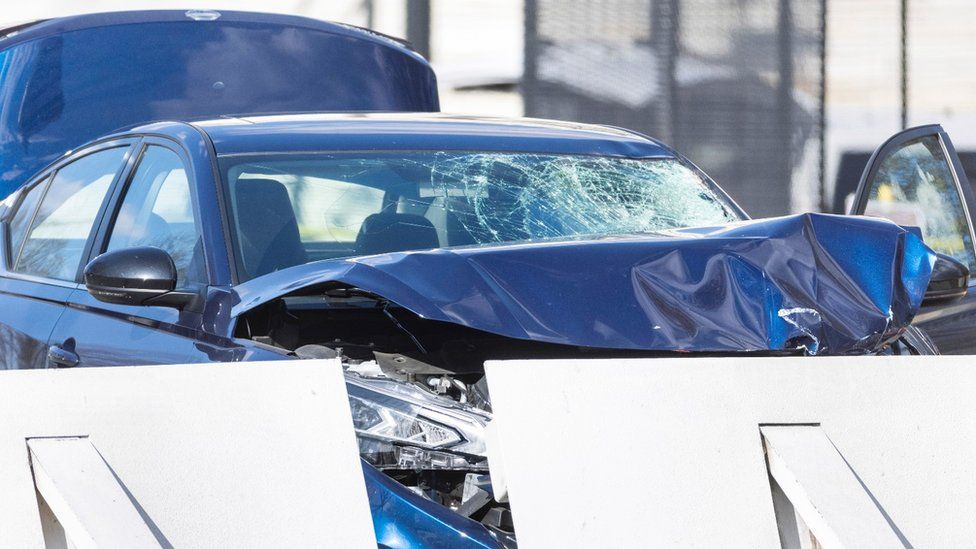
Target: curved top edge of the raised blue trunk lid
point(24, 32)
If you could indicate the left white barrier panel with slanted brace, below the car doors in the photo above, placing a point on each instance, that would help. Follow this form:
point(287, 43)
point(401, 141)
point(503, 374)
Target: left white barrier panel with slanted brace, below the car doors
point(222, 455)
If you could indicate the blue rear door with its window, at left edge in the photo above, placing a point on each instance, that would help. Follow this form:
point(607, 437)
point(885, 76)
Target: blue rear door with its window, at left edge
point(46, 235)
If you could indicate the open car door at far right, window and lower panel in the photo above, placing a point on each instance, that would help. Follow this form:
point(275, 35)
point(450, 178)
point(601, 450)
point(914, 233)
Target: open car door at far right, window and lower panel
point(915, 179)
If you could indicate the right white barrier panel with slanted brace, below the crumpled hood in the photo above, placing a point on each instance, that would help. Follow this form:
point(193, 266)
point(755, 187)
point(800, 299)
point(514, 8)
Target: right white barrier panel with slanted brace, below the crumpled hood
point(870, 452)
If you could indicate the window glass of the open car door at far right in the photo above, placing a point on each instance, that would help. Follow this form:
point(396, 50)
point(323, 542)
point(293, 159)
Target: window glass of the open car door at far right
point(915, 186)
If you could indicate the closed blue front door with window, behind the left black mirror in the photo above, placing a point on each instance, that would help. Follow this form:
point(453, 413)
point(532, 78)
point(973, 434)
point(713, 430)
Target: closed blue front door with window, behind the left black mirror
point(154, 207)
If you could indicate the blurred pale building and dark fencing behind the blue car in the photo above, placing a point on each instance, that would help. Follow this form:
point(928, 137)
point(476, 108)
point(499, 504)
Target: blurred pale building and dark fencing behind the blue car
point(781, 101)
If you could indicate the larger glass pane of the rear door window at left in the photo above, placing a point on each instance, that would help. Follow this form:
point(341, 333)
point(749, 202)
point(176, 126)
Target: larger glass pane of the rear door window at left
point(56, 241)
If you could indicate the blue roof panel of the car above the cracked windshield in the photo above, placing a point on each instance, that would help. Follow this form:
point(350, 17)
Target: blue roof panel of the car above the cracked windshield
point(421, 131)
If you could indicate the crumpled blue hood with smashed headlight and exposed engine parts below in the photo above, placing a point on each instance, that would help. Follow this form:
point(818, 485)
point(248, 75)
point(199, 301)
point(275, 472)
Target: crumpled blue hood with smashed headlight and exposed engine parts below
point(413, 329)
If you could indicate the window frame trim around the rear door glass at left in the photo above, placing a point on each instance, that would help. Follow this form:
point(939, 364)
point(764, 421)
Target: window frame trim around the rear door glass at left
point(48, 175)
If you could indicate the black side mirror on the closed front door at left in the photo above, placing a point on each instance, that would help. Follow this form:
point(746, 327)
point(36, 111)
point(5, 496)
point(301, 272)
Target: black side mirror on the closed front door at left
point(136, 276)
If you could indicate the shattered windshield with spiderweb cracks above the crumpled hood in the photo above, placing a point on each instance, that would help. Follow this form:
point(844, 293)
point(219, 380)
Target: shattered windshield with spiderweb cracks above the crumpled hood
point(290, 209)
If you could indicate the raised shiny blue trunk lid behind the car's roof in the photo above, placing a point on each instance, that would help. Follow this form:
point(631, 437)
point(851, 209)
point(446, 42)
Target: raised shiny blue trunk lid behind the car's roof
point(71, 79)
